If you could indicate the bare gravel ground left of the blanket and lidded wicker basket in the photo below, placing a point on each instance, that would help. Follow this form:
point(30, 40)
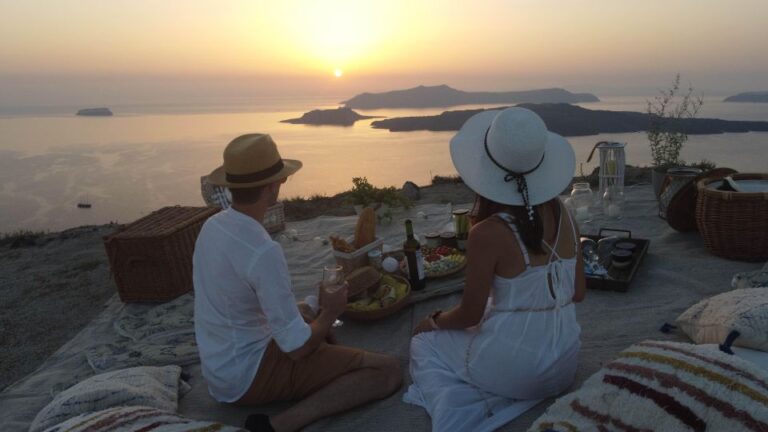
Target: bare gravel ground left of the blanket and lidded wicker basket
point(51, 286)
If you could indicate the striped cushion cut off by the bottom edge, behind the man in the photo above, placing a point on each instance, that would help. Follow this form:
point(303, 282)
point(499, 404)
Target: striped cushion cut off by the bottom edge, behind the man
point(138, 418)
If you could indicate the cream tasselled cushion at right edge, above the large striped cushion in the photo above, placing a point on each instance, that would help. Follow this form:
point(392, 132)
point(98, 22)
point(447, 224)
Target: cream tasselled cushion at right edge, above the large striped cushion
point(742, 310)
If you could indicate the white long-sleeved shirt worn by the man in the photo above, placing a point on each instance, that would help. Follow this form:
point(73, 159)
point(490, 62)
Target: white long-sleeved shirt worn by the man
point(243, 299)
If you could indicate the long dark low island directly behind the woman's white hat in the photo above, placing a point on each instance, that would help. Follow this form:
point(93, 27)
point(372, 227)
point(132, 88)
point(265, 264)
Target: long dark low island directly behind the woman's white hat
point(573, 120)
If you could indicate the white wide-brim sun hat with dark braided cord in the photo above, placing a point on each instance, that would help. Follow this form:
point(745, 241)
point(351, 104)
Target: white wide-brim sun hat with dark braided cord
point(517, 140)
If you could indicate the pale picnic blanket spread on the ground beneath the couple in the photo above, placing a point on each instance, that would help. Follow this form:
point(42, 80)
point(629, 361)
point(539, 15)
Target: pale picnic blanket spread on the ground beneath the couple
point(677, 273)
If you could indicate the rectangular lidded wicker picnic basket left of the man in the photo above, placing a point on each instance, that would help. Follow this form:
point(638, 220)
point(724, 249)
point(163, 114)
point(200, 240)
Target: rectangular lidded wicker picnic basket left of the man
point(151, 258)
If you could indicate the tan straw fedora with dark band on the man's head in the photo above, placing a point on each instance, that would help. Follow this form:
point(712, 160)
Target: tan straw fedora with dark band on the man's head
point(252, 160)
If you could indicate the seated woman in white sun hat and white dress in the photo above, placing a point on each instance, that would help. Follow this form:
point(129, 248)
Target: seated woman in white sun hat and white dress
point(513, 340)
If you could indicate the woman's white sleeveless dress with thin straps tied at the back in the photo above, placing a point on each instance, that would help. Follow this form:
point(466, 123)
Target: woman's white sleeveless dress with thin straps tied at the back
point(525, 349)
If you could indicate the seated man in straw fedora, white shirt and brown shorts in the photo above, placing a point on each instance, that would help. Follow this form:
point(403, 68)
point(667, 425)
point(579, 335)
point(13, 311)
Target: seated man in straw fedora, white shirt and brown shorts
point(254, 345)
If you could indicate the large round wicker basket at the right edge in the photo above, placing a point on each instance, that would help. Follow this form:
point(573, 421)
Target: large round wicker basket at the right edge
point(734, 225)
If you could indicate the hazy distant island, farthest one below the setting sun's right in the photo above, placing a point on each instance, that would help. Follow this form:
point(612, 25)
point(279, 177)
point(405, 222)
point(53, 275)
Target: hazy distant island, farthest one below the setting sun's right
point(444, 96)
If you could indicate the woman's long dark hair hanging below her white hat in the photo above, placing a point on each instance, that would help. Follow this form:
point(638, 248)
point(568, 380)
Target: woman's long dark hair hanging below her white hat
point(532, 232)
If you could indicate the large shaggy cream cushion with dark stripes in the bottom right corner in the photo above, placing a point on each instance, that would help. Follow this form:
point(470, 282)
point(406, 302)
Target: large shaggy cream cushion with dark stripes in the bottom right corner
point(666, 386)
